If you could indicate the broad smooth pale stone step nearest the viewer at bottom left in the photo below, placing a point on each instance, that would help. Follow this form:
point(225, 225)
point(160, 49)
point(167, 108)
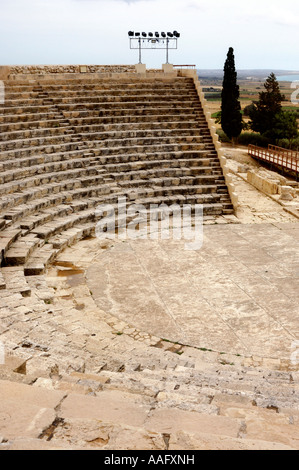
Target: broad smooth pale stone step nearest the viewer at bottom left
point(116, 408)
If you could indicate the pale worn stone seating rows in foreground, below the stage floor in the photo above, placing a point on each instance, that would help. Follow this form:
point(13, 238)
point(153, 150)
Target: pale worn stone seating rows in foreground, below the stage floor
point(125, 383)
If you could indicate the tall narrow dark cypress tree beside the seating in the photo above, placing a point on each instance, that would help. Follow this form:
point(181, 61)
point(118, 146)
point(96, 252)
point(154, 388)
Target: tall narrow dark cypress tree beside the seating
point(231, 116)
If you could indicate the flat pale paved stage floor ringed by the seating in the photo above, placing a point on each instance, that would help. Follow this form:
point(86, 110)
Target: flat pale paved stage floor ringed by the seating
point(238, 294)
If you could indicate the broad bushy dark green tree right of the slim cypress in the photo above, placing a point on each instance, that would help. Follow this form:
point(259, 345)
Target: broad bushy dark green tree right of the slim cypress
point(263, 113)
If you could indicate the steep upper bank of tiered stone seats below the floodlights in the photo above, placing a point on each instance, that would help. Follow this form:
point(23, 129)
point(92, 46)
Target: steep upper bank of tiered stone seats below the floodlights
point(146, 141)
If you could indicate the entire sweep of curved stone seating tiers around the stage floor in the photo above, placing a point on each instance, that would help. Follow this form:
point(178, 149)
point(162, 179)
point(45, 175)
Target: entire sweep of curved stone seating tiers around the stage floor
point(66, 147)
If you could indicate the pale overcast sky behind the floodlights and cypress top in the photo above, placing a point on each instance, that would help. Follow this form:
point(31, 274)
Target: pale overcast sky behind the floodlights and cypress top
point(264, 34)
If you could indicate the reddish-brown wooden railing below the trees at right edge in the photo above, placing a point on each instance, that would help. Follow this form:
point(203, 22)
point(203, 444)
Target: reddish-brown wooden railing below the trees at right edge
point(276, 156)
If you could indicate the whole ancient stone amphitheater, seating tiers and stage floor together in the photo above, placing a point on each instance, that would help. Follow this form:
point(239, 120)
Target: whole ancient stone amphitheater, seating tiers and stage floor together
point(88, 362)
